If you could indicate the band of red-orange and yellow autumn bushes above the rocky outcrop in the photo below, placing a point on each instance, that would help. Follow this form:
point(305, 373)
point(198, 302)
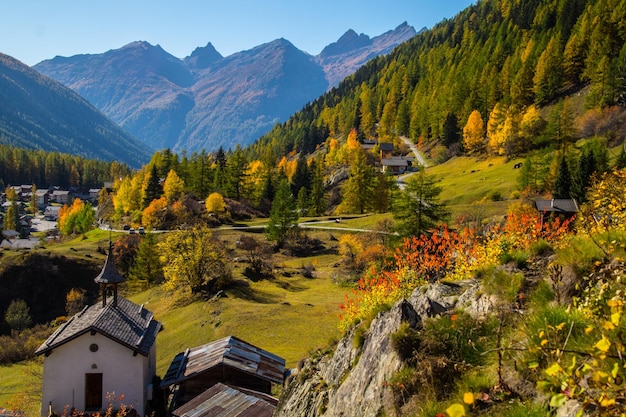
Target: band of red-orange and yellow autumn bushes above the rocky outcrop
point(447, 254)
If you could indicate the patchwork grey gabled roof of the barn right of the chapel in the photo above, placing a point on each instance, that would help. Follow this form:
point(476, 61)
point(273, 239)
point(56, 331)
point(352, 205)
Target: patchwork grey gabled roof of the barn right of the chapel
point(229, 351)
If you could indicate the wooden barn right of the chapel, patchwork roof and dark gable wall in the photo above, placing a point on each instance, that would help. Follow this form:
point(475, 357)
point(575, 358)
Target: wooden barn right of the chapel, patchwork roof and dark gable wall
point(230, 361)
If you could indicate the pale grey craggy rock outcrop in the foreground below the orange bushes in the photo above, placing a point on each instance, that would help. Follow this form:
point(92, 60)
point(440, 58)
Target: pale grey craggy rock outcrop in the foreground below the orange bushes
point(351, 382)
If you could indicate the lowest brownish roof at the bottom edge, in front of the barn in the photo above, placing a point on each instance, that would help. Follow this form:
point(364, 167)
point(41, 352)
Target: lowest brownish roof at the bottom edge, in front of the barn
point(226, 401)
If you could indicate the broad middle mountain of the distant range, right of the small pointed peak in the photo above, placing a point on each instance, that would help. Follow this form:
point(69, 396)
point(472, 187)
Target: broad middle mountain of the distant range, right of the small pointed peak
point(242, 96)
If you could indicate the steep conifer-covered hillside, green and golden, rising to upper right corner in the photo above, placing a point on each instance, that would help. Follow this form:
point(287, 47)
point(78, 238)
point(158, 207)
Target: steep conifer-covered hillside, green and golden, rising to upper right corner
point(504, 60)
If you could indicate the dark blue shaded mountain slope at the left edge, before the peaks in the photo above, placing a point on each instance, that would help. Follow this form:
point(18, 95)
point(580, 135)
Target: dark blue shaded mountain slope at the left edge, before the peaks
point(37, 112)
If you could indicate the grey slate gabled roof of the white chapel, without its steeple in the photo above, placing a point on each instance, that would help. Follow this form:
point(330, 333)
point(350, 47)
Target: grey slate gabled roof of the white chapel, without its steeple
point(126, 323)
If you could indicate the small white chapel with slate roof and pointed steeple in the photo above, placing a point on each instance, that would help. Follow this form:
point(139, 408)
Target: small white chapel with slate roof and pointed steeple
point(106, 350)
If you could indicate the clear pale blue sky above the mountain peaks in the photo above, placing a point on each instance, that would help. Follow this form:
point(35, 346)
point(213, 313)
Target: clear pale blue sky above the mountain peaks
point(34, 30)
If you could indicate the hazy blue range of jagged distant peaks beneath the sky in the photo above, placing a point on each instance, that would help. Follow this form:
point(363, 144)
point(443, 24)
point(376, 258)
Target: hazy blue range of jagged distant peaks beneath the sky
point(205, 100)
